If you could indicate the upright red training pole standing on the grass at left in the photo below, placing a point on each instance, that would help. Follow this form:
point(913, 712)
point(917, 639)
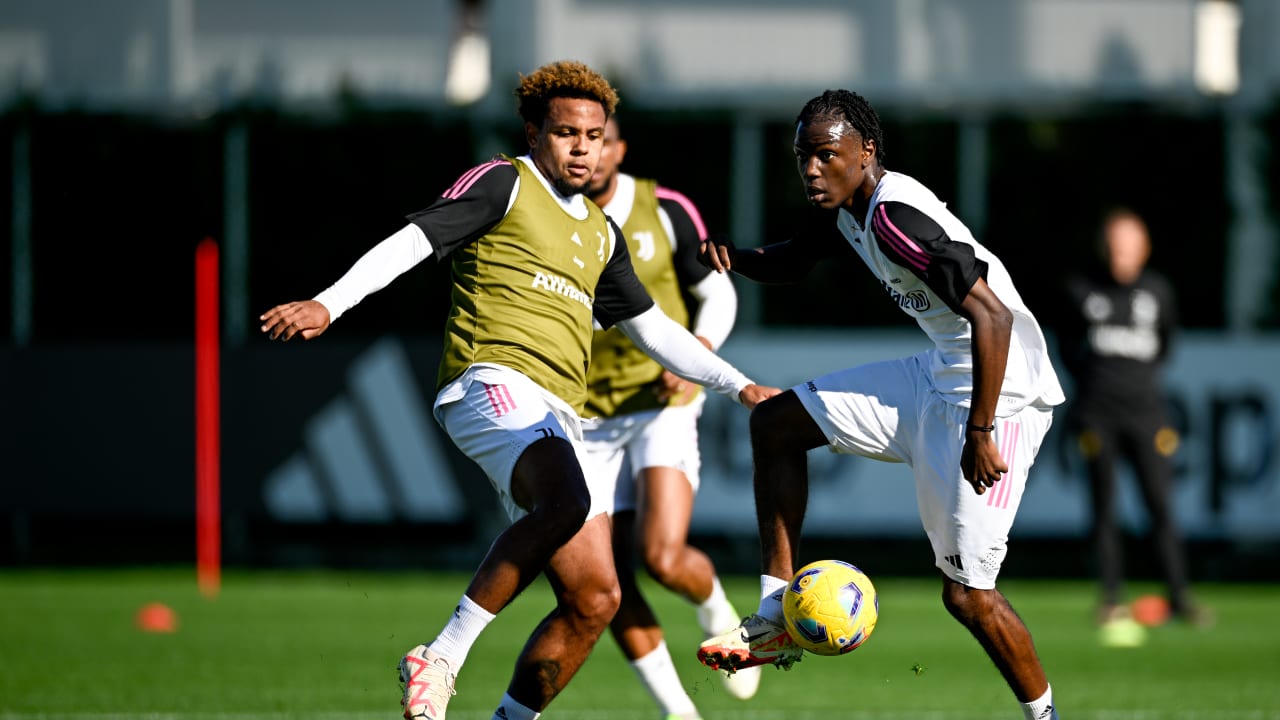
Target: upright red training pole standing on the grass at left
point(208, 422)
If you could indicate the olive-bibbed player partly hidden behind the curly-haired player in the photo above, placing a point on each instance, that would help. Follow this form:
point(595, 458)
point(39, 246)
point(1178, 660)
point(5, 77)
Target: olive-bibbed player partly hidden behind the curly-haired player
point(647, 434)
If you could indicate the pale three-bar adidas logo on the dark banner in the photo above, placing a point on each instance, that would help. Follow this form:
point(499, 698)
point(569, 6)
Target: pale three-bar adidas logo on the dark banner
point(372, 455)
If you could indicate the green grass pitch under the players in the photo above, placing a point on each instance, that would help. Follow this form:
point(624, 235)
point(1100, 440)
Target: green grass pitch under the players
point(324, 645)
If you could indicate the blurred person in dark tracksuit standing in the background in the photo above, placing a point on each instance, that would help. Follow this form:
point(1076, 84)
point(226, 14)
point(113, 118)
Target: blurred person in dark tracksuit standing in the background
point(1122, 322)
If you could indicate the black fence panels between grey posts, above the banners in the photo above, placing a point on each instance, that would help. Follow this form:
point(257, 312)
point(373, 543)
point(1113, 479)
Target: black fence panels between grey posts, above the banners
point(120, 202)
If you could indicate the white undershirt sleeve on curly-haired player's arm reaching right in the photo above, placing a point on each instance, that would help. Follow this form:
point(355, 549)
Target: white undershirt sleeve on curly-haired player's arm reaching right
point(671, 345)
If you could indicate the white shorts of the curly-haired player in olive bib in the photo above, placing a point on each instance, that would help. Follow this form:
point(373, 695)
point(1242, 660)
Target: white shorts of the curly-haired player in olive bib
point(495, 413)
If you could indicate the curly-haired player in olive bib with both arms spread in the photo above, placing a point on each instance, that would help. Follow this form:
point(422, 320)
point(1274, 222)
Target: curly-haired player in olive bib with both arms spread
point(533, 265)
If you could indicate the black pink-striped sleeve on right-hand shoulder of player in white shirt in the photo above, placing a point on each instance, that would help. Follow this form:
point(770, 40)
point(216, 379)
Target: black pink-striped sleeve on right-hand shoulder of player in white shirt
point(909, 238)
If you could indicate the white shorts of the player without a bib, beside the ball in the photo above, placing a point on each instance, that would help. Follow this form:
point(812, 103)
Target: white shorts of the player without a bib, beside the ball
point(890, 412)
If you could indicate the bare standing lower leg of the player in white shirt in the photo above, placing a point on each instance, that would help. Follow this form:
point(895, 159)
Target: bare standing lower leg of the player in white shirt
point(988, 614)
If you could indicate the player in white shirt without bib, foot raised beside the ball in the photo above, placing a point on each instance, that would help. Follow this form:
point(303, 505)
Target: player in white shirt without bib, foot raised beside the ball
point(967, 417)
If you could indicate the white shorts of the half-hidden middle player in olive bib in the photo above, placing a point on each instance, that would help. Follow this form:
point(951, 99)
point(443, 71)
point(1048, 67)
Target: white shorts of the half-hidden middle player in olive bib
point(619, 449)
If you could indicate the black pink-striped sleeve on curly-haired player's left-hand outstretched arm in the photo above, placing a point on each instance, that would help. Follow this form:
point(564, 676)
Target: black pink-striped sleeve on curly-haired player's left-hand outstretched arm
point(470, 208)
